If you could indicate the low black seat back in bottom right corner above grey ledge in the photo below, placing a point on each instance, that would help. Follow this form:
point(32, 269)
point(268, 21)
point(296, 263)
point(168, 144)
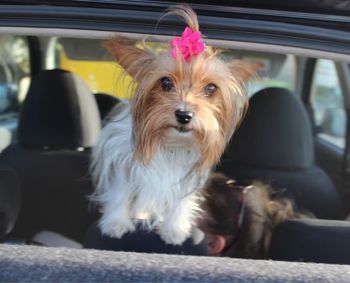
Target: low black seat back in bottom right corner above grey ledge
point(311, 240)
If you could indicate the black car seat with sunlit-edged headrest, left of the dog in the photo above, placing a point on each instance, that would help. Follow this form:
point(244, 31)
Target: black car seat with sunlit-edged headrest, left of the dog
point(59, 123)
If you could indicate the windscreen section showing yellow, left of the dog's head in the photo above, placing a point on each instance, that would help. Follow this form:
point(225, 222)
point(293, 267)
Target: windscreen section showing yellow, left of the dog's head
point(88, 59)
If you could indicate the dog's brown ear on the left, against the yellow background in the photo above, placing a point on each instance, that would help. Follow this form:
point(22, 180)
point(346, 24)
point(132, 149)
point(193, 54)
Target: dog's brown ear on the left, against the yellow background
point(127, 55)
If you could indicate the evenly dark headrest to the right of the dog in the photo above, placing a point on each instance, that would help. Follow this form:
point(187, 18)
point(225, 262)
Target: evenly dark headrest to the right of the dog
point(275, 133)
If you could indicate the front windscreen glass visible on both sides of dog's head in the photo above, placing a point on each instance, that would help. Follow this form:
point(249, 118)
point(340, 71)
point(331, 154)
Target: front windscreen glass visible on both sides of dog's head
point(88, 59)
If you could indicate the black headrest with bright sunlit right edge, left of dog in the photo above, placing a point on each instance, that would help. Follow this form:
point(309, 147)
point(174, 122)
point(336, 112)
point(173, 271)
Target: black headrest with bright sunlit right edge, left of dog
point(59, 111)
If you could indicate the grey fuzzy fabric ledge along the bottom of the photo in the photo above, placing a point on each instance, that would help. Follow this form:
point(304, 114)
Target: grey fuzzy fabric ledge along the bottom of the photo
point(39, 264)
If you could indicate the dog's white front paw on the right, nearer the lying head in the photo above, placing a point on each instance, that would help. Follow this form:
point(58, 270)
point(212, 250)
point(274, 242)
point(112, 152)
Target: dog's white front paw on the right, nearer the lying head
point(173, 234)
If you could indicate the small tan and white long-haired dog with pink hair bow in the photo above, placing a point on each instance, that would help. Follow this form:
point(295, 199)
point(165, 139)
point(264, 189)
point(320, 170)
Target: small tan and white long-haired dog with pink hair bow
point(156, 152)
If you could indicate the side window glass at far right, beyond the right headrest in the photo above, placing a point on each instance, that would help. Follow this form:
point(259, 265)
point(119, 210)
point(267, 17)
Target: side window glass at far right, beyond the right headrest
point(326, 95)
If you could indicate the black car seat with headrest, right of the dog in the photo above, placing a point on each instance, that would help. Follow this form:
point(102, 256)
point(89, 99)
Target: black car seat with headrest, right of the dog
point(275, 144)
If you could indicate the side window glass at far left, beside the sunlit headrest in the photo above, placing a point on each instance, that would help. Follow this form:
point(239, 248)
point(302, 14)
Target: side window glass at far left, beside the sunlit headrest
point(14, 83)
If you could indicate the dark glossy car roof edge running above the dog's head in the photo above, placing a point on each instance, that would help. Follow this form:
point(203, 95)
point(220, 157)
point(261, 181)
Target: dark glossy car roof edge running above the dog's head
point(247, 24)
